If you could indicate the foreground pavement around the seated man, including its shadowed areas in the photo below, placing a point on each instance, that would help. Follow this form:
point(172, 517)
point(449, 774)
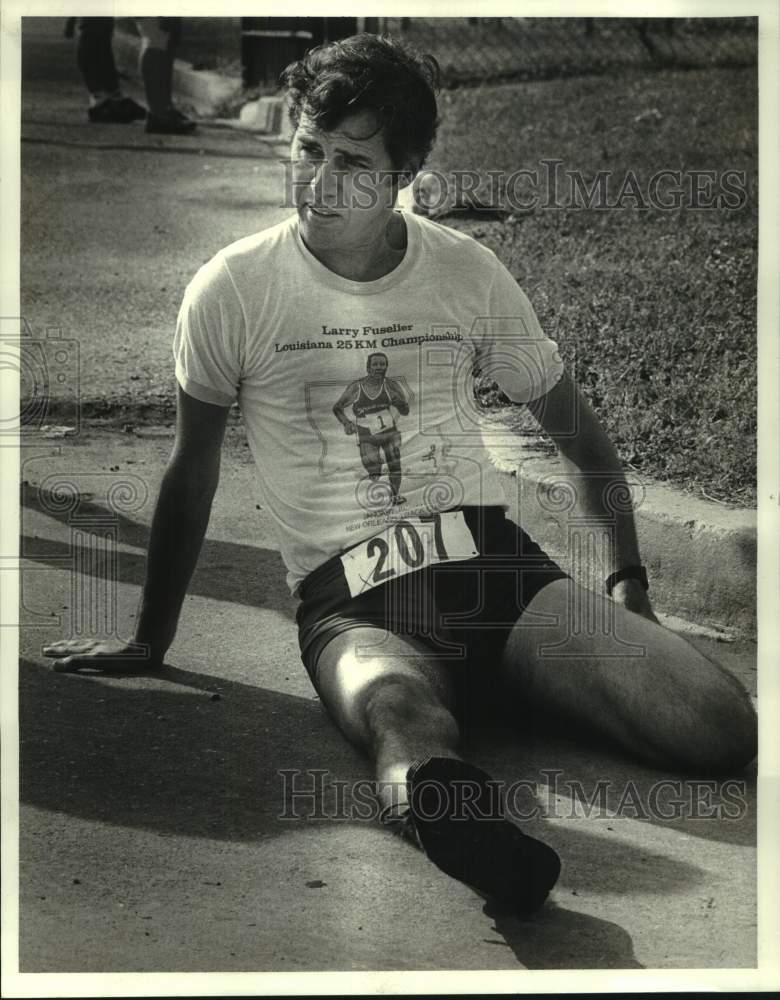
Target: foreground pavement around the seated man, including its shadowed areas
point(153, 827)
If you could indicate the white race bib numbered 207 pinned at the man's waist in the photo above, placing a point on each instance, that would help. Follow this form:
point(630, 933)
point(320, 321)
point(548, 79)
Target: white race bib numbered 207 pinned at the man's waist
point(405, 546)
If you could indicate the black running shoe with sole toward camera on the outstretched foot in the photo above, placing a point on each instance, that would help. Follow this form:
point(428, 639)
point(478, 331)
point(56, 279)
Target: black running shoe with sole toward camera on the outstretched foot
point(459, 819)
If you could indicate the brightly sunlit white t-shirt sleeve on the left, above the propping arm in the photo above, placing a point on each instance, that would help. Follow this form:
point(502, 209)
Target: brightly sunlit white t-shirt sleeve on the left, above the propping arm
point(210, 332)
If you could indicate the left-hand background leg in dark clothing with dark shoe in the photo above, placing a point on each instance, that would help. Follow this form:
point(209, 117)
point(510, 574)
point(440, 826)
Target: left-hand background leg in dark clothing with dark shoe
point(95, 60)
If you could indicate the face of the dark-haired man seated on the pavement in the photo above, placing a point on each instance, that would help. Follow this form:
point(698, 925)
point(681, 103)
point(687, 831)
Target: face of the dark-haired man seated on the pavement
point(342, 182)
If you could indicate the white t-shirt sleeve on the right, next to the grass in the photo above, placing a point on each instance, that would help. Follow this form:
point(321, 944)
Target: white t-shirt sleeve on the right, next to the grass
point(511, 346)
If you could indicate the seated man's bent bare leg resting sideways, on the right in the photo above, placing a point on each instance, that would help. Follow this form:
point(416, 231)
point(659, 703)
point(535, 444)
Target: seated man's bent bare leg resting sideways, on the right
point(634, 681)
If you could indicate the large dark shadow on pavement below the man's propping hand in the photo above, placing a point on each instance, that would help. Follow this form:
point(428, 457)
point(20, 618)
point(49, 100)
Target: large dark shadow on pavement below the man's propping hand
point(169, 756)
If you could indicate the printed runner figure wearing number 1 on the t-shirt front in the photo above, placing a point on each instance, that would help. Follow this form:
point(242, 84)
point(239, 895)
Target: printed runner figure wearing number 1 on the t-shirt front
point(376, 402)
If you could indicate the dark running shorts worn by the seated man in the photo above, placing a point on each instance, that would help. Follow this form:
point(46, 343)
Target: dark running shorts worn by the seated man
point(460, 610)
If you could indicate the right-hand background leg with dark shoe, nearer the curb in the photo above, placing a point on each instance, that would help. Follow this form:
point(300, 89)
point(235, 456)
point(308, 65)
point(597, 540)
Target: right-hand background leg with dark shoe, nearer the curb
point(159, 36)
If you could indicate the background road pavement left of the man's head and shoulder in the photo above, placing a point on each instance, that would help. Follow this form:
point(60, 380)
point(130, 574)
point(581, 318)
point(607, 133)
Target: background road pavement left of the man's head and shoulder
point(115, 222)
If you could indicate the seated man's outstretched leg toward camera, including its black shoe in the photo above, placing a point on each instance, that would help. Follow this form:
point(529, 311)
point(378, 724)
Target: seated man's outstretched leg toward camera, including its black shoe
point(395, 703)
